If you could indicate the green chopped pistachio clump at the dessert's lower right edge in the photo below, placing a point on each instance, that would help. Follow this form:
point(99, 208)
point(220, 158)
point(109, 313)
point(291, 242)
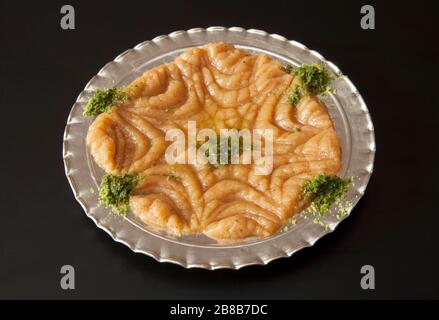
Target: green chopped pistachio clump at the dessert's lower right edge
point(325, 190)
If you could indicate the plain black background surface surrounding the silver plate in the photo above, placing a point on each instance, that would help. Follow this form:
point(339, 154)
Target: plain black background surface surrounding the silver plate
point(394, 227)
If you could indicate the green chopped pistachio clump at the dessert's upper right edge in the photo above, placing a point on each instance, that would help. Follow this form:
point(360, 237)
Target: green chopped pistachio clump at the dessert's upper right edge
point(313, 79)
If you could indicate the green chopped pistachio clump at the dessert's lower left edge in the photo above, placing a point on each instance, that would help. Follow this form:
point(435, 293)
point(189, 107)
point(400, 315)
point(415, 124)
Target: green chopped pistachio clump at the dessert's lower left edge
point(114, 191)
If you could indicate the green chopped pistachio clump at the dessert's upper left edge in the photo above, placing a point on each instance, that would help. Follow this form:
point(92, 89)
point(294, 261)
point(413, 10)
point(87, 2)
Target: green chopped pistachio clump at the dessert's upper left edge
point(103, 100)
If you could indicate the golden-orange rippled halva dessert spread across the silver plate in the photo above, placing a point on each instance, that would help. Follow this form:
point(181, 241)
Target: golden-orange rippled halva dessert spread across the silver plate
point(218, 87)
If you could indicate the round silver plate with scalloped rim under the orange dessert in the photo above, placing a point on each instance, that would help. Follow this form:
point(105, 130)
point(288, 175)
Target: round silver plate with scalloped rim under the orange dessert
point(347, 109)
